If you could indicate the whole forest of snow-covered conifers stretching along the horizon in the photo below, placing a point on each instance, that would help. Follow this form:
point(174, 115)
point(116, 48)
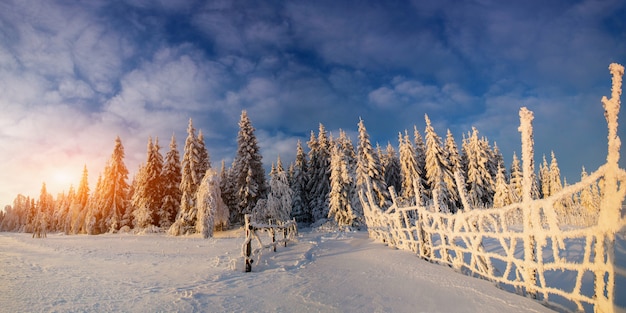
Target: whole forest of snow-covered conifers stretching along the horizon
point(184, 195)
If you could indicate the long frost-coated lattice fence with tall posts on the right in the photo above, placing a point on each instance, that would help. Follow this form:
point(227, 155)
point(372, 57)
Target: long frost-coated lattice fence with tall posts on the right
point(534, 247)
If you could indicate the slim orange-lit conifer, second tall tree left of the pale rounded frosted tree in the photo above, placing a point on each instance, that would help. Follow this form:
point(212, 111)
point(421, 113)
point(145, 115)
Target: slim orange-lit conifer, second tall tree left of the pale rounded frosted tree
point(171, 187)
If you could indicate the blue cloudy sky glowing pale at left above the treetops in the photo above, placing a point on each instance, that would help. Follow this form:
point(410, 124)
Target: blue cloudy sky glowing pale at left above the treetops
point(74, 75)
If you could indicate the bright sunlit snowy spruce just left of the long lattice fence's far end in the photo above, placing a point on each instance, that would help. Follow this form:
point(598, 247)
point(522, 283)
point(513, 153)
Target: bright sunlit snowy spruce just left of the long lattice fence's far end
point(342, 184)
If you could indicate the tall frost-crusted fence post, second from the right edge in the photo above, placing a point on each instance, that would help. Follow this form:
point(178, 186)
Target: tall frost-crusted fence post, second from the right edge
point(528, 169)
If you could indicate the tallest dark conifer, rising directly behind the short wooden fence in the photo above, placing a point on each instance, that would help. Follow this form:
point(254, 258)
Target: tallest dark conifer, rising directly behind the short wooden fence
point(248, 170)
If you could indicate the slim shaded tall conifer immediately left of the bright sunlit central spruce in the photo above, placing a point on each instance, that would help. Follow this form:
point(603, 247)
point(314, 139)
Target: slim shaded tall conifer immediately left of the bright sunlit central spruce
point(319, 174)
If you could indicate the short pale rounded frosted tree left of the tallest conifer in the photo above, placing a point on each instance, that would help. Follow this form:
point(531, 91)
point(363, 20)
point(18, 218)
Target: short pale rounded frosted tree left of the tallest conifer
point(210, 204)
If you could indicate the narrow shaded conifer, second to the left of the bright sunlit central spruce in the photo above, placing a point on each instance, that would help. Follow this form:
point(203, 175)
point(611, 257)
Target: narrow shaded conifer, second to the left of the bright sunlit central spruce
point(299, 181)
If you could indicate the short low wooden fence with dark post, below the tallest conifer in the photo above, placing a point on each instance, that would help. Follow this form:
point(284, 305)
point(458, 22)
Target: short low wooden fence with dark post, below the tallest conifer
point(288, 230)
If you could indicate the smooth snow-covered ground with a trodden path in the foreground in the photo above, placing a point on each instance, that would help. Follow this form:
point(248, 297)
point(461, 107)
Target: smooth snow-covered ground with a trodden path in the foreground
point(320, 272)
